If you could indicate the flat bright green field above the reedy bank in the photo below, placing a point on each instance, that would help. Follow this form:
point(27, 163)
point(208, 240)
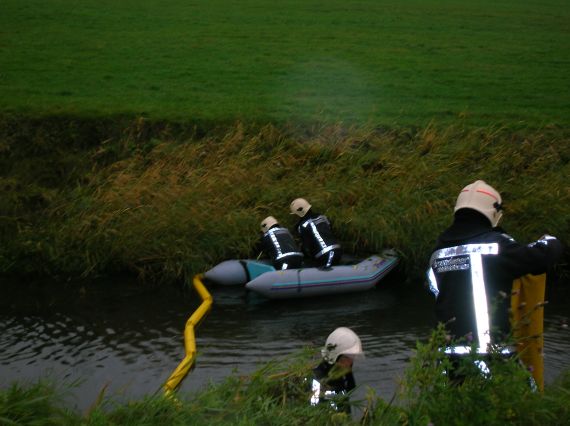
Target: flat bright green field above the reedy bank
point(383, 62)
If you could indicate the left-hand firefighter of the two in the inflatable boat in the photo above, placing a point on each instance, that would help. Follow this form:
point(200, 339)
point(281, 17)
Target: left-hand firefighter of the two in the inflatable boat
point(278, 243)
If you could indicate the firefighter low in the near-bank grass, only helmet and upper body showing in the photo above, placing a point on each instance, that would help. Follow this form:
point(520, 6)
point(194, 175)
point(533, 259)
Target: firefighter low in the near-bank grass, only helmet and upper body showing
point(332, 378)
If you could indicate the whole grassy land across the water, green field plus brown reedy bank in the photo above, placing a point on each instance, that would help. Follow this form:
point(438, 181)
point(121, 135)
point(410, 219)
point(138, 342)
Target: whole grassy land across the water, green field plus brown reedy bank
point(84, 191)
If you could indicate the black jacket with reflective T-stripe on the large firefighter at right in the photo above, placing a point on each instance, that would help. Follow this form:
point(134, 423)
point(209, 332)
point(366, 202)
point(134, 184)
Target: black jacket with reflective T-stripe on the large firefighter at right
point(452, 278)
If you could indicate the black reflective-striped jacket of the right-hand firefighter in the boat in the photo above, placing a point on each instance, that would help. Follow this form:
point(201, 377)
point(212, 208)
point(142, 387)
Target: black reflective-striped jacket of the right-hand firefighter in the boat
point(316, 234)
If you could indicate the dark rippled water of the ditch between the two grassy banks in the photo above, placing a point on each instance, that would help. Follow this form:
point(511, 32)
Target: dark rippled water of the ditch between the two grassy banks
point(127, 339)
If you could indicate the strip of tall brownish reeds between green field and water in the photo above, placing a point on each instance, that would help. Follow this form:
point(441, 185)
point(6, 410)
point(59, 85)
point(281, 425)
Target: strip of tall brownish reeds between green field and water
point(167, 205)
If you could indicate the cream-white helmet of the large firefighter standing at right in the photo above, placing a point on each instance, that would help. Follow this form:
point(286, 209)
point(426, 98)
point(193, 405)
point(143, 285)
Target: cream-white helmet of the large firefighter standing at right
point(483, 198)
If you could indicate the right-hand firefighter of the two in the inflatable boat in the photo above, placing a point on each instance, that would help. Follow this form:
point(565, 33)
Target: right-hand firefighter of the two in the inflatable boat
point(317, 239)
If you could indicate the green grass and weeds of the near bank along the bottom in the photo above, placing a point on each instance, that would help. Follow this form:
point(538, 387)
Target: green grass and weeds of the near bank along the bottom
point(276, 394)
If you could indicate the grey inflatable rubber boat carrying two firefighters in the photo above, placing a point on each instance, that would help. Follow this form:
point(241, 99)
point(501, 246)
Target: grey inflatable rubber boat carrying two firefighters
point(262, 278)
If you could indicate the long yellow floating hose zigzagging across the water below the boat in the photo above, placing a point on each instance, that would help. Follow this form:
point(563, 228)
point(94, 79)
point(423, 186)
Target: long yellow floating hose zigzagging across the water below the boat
point(189, 337)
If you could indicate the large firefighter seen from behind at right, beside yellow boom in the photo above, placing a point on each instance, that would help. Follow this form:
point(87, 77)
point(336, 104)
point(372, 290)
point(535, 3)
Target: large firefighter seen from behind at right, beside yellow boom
point(472, 270)
